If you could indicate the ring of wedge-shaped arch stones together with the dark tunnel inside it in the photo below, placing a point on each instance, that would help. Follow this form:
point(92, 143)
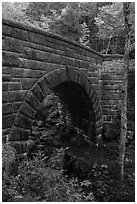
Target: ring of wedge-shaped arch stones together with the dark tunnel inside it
point(59, 80)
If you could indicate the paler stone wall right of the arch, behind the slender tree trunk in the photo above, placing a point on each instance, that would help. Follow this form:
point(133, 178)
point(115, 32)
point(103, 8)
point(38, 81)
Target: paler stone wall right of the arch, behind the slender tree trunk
point(111, 80)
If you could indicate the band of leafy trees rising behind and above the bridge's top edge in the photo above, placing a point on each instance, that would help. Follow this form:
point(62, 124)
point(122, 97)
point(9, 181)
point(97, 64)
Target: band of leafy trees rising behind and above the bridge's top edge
point(97, 25)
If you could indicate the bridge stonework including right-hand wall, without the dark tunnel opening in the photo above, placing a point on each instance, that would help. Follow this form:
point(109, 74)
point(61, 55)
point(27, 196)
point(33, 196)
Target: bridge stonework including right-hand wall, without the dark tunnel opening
point(30, 54)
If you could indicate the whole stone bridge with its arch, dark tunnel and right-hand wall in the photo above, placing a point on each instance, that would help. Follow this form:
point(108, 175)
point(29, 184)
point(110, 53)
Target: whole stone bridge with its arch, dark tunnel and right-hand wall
point(35, 62)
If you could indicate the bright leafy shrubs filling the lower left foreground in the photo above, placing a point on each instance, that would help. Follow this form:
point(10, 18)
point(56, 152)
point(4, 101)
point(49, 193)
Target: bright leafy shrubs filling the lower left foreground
point(39, 180)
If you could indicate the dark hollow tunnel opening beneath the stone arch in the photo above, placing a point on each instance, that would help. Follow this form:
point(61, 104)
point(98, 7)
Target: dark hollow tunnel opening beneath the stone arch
point(77, 107)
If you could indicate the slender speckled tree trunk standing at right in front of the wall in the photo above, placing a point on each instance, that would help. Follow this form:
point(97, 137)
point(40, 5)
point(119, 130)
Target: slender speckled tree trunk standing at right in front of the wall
point(126, 9)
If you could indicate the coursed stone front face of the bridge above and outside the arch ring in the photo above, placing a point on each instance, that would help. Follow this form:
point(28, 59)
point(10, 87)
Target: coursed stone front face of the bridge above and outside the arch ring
point(28, 54)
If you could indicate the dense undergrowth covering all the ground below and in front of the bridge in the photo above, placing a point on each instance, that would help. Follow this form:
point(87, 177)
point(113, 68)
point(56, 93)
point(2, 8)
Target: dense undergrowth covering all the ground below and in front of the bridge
point(60, 165)
